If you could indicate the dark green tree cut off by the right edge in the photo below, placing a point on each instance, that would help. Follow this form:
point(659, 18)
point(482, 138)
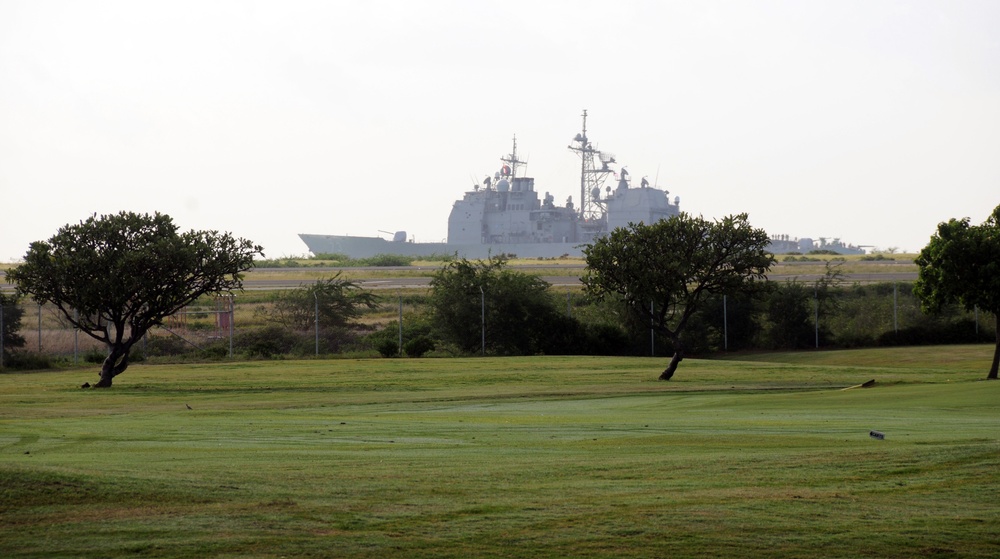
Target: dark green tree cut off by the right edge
point(961, 264)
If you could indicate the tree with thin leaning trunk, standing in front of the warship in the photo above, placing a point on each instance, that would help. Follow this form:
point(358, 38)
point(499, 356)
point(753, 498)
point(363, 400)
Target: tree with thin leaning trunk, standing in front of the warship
point(664, 271)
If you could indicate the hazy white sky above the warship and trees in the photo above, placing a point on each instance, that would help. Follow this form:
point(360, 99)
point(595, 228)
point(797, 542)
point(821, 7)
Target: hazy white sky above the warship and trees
point(868, 120)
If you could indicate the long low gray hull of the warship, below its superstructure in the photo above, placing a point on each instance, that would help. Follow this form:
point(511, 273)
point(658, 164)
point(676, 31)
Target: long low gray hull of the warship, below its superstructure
point(367, 247)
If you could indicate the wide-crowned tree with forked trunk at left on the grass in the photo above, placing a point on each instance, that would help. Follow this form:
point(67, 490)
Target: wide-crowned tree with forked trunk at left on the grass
point(116, 276)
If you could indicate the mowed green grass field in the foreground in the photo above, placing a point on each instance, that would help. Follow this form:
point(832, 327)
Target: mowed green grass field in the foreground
point(764, 456)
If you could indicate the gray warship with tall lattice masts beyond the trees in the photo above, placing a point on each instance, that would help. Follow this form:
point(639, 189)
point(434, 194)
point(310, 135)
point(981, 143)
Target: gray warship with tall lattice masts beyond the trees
point(505, 214)
